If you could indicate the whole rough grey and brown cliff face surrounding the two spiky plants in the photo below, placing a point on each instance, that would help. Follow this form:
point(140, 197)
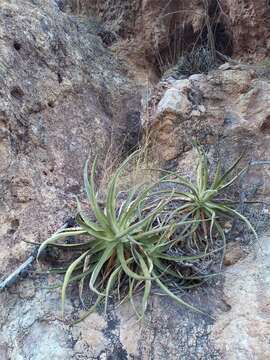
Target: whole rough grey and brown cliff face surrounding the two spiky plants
point(72, 75)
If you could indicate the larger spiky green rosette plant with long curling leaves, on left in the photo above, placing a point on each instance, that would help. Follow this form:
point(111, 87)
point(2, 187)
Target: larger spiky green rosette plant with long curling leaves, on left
point(125, 249)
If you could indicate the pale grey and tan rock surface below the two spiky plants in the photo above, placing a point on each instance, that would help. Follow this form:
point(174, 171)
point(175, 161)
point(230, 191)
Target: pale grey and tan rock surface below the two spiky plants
point(32, 327)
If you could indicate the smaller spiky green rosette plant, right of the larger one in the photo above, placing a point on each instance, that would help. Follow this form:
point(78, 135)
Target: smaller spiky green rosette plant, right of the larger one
point(202, 199)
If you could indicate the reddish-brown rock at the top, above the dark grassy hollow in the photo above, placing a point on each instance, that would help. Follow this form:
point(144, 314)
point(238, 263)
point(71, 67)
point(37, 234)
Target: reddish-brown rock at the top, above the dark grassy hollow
point(153, 32)
